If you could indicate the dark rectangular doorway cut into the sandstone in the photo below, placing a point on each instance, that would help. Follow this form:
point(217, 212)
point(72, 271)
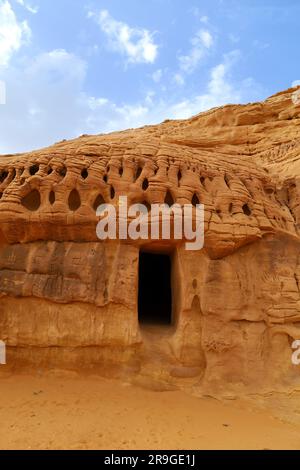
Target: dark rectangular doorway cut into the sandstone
point(155, 293)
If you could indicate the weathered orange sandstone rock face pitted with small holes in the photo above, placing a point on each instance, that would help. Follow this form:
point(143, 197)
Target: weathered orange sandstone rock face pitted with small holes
point(69, 300)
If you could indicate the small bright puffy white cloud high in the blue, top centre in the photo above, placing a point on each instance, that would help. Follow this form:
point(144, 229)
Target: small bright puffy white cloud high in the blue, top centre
point(136, 44)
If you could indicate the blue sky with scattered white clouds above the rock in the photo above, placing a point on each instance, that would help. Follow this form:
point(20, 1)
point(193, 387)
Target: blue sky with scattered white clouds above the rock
point(74, 67)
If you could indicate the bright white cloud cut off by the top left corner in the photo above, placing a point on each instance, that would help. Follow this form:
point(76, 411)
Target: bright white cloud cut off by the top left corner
point(13, 34)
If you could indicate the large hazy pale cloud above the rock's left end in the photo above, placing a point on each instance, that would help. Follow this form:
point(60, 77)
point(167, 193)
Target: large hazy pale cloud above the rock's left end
point(45, 101)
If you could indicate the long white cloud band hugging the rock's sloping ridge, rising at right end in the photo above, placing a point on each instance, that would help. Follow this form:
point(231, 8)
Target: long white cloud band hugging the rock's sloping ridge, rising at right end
point(220, 90)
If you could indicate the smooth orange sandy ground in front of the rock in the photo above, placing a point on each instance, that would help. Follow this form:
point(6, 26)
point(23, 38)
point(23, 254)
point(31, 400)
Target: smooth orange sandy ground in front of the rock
point(69, 412)
